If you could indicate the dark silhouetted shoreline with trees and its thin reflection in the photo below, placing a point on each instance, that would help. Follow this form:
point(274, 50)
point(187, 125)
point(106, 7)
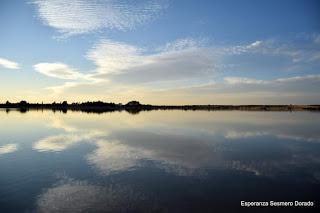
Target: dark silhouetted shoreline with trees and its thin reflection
point(134, 107)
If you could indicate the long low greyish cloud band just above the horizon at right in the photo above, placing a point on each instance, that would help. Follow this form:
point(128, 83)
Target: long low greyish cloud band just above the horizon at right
point(239, 90)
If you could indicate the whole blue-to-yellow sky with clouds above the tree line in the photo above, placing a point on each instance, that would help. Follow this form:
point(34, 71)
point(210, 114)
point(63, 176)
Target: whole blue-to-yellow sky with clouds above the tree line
point(160, 51)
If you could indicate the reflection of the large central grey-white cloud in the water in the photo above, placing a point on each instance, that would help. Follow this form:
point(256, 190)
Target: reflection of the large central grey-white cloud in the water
point(181, 156)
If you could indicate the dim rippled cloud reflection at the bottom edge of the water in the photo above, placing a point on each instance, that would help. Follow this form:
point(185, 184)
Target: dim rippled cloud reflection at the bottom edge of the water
point(80, 196)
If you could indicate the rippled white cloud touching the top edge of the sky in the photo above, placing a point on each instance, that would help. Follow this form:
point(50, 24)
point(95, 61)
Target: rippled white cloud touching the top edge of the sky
point(81, 16)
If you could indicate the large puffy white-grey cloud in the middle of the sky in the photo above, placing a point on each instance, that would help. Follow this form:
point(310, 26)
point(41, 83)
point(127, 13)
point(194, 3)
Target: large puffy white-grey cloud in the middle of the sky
point(179, 60)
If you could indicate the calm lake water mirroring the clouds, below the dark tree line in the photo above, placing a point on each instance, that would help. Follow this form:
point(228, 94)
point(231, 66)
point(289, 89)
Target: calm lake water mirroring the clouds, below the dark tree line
point(159, 161)
